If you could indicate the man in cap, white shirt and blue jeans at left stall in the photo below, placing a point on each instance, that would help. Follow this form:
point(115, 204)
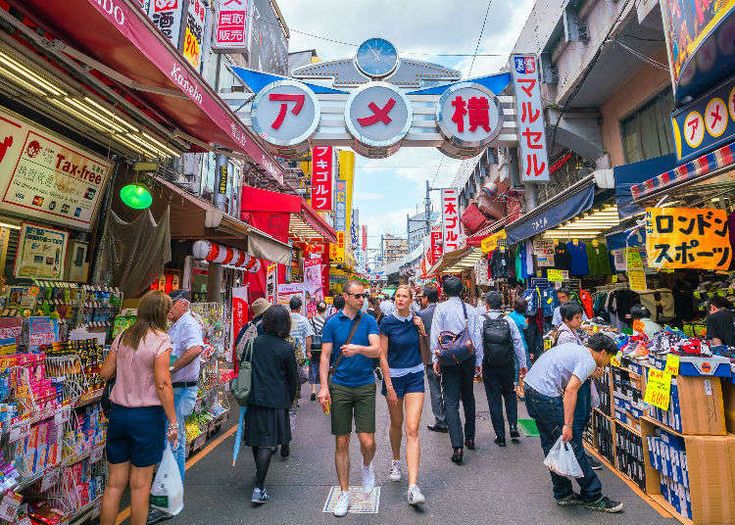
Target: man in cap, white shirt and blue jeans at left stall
point(187, 342)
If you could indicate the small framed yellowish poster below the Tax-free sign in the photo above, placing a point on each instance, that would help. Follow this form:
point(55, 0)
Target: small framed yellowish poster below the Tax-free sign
point(41, 253)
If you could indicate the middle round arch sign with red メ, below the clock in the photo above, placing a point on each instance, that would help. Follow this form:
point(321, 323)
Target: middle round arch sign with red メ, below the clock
point(378, 117)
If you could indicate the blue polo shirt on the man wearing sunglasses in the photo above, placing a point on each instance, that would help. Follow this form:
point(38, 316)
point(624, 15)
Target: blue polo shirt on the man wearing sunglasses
point(356, 370)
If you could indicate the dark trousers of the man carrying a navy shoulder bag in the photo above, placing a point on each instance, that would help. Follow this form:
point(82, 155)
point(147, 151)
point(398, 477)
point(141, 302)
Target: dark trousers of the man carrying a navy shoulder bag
point(457, 381)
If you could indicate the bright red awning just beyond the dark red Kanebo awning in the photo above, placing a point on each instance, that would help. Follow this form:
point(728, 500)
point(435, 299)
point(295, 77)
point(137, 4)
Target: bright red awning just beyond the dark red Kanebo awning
point(303, 221)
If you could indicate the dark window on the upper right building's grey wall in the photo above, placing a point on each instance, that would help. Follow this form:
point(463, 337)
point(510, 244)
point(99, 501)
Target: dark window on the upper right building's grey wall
point(647, 132)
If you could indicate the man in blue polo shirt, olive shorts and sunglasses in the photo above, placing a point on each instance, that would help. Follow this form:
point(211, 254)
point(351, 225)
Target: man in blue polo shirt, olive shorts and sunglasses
point(351, 389)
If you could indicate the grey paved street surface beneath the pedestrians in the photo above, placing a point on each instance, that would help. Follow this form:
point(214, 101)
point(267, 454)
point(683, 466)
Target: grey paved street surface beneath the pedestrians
point(508, 486)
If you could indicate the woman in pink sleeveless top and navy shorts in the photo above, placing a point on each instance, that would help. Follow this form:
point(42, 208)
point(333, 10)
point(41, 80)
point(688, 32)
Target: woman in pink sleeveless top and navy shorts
point(142, 400)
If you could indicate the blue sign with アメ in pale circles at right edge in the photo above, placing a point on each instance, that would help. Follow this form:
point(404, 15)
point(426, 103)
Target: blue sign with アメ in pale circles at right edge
point(706, 124)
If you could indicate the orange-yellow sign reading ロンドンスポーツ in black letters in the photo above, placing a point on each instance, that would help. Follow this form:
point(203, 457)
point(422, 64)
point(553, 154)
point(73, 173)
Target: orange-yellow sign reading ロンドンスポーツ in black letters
point(688, 238)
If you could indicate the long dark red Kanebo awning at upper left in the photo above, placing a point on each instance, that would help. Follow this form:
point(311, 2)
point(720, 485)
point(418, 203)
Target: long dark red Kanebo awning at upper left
point(119, 35)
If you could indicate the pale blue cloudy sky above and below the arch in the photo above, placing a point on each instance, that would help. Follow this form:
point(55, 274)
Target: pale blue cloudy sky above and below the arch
point(387, 189)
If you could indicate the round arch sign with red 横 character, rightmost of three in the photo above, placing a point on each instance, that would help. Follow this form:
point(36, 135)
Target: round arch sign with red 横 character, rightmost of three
point(470, 117)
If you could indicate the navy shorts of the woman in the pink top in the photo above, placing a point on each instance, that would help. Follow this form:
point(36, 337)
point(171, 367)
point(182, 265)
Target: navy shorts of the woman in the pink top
point(137, 435)
